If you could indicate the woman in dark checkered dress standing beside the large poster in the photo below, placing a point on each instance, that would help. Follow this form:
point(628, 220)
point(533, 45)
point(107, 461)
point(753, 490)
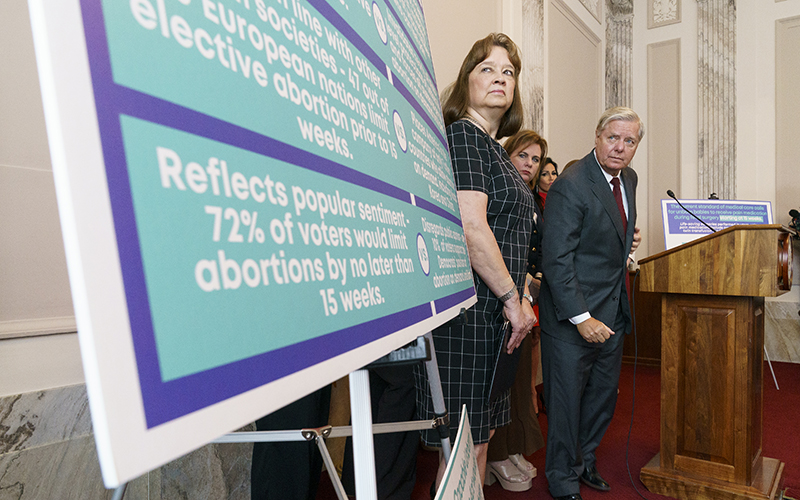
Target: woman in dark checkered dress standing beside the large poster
point(497, 214)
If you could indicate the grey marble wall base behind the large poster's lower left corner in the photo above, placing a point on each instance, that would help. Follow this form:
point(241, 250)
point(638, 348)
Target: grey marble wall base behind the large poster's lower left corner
point(47, 451)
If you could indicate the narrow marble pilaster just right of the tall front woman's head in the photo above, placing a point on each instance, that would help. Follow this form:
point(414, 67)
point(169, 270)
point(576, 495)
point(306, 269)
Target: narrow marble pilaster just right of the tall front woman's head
point(532, 76)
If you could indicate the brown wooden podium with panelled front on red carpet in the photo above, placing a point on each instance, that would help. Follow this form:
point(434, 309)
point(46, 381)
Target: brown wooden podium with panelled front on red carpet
point(712, 323)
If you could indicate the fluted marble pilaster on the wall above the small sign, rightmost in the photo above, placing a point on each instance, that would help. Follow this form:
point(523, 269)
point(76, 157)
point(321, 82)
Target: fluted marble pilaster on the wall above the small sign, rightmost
point(716, 54)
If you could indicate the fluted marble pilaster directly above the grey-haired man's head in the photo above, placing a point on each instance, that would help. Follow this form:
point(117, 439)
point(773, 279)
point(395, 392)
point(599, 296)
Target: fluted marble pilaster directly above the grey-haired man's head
point(619, 48)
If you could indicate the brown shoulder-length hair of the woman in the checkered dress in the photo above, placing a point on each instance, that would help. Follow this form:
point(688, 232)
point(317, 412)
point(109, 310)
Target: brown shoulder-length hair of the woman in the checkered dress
point(456, 96)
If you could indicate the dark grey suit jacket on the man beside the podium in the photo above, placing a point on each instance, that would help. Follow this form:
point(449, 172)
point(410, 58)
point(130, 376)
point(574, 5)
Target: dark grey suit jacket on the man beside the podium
point(584, 250)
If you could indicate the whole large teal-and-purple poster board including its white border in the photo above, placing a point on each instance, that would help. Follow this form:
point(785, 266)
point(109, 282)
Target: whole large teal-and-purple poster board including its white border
point(256, 198)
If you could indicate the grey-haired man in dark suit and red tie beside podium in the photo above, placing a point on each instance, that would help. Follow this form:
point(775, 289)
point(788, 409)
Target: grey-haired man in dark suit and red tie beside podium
point(589, 232)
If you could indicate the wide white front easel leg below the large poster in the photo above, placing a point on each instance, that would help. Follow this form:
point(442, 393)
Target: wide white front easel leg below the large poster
point(363, 445)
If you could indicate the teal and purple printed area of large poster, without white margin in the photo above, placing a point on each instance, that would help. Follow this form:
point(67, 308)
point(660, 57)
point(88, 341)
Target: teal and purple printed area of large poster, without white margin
point(279, 177)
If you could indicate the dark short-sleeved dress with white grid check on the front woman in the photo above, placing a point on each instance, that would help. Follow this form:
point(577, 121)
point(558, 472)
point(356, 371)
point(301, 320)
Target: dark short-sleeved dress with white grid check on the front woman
point(465, 350)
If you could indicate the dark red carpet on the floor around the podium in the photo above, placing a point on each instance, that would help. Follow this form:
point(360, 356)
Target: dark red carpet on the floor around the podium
point(781, 440)
